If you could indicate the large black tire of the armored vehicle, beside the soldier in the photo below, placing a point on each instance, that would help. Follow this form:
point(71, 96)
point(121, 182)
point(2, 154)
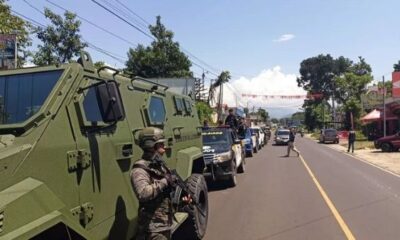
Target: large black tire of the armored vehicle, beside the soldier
point(196, 224)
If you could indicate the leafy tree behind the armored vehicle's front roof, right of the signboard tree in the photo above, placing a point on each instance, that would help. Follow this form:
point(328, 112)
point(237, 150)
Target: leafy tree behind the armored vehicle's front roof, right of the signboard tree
point(61, 40)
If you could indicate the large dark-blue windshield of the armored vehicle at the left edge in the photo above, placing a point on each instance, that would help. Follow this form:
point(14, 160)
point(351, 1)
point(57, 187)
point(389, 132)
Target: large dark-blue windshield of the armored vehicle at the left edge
point(22, 95)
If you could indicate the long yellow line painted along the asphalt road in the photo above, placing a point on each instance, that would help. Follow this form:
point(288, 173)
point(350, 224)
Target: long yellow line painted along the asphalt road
point(332, 207)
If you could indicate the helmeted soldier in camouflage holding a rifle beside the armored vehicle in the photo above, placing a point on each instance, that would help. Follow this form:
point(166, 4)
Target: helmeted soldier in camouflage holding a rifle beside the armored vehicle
point(151, 184)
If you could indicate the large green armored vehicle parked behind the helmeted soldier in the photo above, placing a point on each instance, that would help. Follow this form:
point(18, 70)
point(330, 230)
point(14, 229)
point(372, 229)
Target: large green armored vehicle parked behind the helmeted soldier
point(68, 140)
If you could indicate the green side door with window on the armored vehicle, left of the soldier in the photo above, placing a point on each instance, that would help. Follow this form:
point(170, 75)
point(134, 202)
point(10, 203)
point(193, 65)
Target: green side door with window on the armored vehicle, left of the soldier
point(103, 160)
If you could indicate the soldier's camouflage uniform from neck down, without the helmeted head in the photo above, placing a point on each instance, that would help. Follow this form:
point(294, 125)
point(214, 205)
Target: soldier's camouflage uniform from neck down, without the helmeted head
point(155, 207)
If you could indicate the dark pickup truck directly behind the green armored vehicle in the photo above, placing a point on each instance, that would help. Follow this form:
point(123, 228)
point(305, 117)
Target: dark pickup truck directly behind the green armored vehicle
point(223, 154)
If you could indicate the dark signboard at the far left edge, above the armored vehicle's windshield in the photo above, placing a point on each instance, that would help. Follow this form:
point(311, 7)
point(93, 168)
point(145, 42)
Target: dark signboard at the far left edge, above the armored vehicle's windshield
point(7, 51)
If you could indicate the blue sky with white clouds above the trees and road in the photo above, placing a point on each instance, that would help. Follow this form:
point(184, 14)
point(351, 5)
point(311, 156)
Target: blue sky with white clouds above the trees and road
point(261, 43)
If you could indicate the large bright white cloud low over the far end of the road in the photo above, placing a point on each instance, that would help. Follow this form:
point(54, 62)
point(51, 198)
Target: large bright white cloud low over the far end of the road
point(268, 82)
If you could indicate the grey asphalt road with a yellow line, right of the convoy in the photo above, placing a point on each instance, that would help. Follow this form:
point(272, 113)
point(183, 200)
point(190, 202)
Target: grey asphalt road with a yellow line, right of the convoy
point(337, 197)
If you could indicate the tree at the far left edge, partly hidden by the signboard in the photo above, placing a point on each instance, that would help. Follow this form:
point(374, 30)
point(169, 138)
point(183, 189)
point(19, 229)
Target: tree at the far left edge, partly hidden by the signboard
point(11, 24)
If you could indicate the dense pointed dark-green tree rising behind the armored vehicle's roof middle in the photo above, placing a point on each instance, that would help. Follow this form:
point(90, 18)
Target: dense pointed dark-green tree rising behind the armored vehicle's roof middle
point(163, 58)
